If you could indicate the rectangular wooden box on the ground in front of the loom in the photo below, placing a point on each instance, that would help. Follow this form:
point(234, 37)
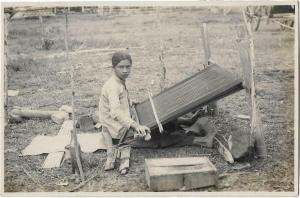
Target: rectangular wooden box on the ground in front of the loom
point(164, 174)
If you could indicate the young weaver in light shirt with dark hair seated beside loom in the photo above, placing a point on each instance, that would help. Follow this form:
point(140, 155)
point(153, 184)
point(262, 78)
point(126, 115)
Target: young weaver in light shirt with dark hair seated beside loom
point(114, 106)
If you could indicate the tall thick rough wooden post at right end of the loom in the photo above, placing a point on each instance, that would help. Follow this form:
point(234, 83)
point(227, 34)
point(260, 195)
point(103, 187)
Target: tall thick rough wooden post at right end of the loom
point(246, 49)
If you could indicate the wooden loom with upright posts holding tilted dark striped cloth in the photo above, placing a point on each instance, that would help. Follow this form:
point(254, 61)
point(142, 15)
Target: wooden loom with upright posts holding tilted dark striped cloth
point(206, 87)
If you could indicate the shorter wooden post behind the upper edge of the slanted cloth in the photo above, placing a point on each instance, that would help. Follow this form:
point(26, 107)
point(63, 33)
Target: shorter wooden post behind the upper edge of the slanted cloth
point(212, 108)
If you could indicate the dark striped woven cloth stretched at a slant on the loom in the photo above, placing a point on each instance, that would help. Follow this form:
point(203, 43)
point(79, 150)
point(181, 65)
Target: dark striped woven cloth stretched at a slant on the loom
point(210, 84)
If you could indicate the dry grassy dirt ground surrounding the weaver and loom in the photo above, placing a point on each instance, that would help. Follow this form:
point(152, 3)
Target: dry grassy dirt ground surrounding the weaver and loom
point(44, 83)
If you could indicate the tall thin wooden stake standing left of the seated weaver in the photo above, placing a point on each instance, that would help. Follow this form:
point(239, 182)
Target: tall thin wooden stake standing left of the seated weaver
point(75, 150)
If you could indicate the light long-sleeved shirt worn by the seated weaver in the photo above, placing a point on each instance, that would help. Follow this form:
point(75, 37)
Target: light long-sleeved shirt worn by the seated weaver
point(114, 109)
